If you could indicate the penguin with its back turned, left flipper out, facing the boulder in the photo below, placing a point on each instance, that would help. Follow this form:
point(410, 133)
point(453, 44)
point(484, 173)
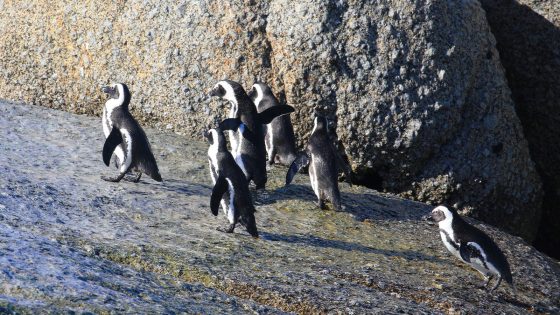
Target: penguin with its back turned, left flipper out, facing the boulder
point(323, 160)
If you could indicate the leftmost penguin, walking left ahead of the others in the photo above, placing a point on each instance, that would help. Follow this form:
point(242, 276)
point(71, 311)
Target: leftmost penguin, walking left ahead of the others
point(135, 153)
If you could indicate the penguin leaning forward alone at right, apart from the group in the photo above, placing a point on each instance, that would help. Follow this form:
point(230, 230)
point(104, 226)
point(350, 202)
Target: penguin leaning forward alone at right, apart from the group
point(472, 246)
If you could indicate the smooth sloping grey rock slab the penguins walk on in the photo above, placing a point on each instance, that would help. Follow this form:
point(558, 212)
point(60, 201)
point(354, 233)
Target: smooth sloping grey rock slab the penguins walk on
point(72, 242)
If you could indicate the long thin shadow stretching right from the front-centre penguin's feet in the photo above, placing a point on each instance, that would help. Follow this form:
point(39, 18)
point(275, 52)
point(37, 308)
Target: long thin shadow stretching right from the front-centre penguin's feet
point(318, 242)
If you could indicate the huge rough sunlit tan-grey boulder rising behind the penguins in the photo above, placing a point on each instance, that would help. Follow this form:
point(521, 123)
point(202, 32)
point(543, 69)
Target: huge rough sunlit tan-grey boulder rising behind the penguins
point(420, 98)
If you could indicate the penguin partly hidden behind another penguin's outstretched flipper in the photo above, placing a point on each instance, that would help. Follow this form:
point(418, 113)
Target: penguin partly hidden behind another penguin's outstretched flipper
point(279, 134)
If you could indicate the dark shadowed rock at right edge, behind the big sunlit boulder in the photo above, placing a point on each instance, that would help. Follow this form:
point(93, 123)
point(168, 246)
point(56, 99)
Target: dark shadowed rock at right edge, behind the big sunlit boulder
point(528, 39)
